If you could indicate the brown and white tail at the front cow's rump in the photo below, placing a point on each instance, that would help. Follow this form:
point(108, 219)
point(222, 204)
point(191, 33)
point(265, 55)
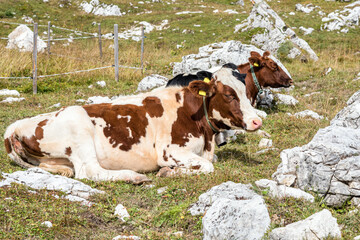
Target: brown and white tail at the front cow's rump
point(16, 151)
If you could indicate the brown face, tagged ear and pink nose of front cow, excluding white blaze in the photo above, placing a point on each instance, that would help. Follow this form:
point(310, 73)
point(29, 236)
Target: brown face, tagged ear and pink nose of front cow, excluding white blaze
point(223, 104)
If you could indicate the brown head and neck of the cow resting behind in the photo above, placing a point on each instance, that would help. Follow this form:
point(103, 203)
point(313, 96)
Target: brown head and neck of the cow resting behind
point(268, 74)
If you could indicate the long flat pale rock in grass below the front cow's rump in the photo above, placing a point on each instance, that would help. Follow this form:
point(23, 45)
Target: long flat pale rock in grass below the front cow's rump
point(39, 179)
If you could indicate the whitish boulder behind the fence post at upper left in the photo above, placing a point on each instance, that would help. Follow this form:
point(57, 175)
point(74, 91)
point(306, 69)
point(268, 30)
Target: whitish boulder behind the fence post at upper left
point(22, 38)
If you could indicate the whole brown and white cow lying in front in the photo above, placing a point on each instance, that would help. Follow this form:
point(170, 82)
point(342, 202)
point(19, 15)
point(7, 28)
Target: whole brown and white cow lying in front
point(133, 134)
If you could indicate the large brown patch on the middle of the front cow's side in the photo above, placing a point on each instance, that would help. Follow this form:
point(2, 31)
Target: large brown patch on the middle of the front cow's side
point(118, 124)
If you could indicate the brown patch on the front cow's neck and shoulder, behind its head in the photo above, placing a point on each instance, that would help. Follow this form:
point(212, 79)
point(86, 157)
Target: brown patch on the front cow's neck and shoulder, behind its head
point(191, 122)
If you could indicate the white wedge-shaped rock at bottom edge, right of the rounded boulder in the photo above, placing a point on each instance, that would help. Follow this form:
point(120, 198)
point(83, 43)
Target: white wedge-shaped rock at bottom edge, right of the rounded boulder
point(321, 225)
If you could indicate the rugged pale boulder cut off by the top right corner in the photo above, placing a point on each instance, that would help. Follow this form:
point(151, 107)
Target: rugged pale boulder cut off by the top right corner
point(343, 20)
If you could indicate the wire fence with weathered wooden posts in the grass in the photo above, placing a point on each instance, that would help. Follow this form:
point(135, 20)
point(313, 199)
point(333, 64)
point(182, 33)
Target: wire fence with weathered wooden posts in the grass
point(98, 35)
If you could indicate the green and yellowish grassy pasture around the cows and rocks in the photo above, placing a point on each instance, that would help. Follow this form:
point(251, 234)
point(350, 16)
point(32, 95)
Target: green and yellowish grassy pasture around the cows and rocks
point(153, 215)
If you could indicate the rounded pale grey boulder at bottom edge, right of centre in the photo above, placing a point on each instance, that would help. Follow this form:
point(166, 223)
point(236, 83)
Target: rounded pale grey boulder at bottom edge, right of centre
point(232, 211)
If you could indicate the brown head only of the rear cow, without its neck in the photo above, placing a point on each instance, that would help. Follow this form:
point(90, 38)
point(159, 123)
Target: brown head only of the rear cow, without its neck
point(269, 72)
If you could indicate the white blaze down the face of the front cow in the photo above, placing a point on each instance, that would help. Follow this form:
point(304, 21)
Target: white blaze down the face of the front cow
point(225, 76)
